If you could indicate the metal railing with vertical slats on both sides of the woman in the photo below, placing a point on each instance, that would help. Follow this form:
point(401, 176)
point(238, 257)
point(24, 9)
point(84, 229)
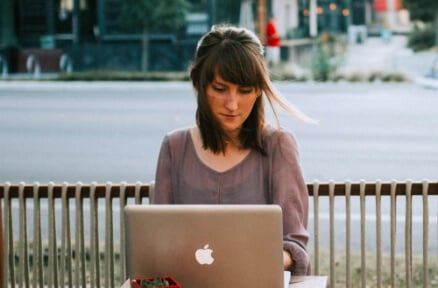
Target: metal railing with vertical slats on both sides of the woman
point(67, 223)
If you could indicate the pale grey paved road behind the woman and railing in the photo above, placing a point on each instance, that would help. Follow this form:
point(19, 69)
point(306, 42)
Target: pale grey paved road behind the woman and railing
point(112, 131)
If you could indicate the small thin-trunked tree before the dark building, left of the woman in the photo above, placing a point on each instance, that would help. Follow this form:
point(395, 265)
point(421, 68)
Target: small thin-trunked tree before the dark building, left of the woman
point(145, 16)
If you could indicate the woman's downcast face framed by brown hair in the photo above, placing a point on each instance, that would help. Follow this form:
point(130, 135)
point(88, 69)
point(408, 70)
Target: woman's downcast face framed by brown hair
point(230, 104)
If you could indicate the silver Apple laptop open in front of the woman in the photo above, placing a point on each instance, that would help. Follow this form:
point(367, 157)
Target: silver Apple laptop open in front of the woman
point(212, 246)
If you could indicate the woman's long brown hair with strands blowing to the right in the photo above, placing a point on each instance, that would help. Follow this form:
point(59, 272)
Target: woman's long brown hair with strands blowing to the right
point(236, 55)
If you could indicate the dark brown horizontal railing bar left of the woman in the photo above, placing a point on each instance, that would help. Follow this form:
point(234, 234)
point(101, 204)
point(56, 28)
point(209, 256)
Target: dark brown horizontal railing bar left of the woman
point(100, 192)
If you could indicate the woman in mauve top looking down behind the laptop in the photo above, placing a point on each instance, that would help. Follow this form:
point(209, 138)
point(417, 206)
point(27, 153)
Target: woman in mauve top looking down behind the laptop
point(232, 156)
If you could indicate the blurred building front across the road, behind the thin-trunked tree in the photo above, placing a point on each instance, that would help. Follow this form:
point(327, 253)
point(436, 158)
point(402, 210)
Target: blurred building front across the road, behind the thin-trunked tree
point(89, 34)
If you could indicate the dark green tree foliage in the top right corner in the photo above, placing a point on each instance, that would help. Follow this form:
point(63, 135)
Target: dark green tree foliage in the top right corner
point(424, 10)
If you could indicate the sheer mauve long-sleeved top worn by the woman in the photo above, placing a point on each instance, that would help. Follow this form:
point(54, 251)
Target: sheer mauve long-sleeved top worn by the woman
point(182, 178)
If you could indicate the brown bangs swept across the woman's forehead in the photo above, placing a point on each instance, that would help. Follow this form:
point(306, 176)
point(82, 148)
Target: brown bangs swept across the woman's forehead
point(235, 64)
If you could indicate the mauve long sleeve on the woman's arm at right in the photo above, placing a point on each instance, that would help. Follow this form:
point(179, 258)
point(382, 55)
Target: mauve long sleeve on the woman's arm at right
point(289, 190)
